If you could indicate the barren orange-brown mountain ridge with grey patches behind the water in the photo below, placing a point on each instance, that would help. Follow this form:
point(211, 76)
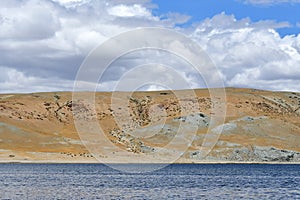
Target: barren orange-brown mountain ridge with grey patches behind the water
point(186, 126)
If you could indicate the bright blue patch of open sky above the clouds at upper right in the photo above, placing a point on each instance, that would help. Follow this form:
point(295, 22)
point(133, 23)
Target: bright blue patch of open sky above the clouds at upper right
point(199, 10)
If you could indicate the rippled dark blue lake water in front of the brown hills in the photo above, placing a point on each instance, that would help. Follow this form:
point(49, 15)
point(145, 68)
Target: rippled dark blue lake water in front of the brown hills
point(182, 181)
